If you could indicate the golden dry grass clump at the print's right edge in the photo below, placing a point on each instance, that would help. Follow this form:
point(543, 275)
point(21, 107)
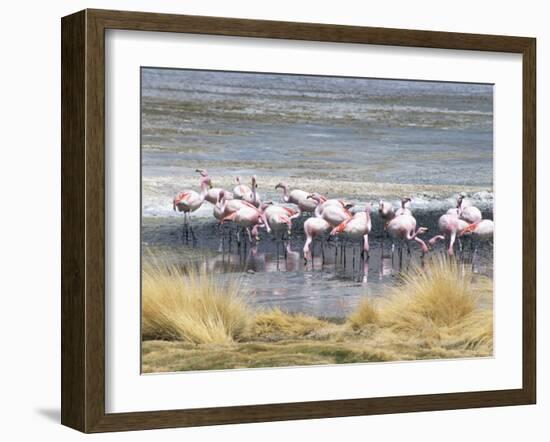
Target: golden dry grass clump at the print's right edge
point(435, 306)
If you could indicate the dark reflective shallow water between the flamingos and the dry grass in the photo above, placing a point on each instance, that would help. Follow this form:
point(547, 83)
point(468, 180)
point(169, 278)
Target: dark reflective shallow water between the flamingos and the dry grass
point(274, 274)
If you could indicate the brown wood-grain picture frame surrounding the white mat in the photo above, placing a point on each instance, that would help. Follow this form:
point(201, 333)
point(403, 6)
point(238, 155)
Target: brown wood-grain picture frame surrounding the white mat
point(83, 220)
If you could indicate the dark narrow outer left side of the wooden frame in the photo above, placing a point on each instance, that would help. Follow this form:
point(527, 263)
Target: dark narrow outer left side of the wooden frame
point(73, 128)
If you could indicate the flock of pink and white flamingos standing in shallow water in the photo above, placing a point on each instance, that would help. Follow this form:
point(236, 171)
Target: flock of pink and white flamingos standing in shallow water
point(244, 207)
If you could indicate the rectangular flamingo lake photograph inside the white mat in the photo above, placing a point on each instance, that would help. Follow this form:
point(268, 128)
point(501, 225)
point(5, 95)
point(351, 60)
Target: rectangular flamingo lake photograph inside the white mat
point(304, 220)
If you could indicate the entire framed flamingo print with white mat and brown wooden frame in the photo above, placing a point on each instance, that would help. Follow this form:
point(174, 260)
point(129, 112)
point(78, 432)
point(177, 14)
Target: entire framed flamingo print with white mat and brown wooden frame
point(270, 220)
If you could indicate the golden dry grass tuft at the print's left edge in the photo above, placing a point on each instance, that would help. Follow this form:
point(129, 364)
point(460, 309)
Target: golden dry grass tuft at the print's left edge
point(192, 306)
